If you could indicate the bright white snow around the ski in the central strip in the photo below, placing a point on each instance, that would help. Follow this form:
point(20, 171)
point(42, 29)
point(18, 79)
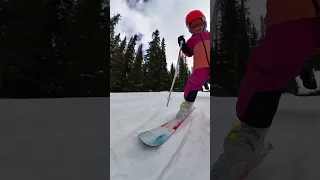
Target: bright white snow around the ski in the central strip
point(184, 156)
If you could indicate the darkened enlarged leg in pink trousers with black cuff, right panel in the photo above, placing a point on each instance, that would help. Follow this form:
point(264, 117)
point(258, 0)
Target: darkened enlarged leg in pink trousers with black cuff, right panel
point(279, 58)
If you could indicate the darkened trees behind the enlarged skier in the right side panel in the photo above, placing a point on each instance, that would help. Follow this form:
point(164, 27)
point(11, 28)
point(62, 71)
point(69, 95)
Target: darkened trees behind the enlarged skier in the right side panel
point(237, 36)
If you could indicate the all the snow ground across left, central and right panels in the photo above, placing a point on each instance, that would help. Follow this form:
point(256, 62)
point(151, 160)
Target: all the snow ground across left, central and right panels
point(67, 138)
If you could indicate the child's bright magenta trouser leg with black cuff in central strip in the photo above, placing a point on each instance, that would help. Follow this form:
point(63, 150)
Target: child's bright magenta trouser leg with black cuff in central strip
point(195, 82)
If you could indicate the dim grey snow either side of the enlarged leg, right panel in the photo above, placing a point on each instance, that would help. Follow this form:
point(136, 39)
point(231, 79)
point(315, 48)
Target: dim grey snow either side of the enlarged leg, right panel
point(294, 134)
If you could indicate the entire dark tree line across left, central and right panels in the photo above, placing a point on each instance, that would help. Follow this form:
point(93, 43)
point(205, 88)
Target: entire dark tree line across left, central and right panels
point(69, 48)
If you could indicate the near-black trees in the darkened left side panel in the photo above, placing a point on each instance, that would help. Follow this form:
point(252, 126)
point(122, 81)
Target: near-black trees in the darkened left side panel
point(56, 48)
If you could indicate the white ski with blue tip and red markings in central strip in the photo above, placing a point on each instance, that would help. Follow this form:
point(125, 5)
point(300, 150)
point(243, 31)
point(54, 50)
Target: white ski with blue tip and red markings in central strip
point(157, 136)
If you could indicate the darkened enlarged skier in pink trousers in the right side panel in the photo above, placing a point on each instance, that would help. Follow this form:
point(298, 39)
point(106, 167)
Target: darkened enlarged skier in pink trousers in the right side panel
point(292, 36)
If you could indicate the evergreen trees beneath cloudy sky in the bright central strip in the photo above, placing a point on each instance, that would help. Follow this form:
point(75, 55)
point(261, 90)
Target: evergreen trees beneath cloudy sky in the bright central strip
point(132, 70)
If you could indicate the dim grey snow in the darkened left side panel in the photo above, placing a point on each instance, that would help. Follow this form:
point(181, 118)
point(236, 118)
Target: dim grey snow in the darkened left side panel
point(54, 139)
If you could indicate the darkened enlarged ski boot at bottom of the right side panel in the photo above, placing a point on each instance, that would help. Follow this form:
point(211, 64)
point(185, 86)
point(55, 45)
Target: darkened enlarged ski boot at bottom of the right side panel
point(242, 148)
